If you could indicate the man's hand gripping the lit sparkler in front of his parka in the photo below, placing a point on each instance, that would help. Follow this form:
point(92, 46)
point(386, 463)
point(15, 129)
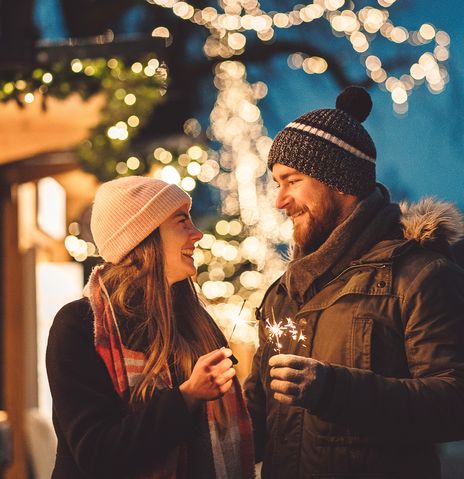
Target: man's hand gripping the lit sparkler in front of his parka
point(296, 380)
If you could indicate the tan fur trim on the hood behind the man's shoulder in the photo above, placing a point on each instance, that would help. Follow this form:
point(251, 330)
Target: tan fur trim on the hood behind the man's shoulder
point(431, 220)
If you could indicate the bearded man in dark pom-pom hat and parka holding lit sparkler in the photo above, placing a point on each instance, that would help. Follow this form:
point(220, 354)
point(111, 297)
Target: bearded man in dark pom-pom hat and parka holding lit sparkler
point(378, 376)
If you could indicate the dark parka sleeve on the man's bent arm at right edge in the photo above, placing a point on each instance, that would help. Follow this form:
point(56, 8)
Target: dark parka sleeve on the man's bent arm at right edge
point(428, 406)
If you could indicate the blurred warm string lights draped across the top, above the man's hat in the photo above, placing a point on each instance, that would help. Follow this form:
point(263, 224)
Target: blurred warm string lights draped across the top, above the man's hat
point(227, 30)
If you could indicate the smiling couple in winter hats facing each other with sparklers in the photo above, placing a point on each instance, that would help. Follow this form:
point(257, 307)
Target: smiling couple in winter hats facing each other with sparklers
point(141, 378)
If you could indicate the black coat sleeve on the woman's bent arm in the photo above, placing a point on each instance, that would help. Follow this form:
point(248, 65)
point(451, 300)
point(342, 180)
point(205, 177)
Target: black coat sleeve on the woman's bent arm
point(105, 438)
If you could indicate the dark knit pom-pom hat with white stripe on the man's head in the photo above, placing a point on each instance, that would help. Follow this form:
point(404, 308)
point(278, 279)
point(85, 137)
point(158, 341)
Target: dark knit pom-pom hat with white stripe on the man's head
point(331, 145)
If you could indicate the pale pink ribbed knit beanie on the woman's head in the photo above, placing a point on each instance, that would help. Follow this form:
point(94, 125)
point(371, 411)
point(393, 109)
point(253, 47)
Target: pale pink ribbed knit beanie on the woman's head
point(126, 210)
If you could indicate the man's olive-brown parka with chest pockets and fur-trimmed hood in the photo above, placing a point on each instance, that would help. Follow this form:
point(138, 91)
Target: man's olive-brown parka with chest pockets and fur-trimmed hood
point(389, 328)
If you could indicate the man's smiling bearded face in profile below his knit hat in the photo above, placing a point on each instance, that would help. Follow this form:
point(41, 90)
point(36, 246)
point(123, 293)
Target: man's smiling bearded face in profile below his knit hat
point(314, 208)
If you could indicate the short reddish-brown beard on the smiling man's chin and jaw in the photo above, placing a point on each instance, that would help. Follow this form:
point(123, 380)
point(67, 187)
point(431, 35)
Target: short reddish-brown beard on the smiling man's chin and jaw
point(313, 233)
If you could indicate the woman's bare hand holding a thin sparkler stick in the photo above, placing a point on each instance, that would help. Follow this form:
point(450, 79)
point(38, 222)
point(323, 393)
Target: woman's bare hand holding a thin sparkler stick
point(211, 378)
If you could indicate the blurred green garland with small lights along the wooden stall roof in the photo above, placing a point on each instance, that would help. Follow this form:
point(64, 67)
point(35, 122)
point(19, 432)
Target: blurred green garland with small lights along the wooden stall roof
point(132, 92)
